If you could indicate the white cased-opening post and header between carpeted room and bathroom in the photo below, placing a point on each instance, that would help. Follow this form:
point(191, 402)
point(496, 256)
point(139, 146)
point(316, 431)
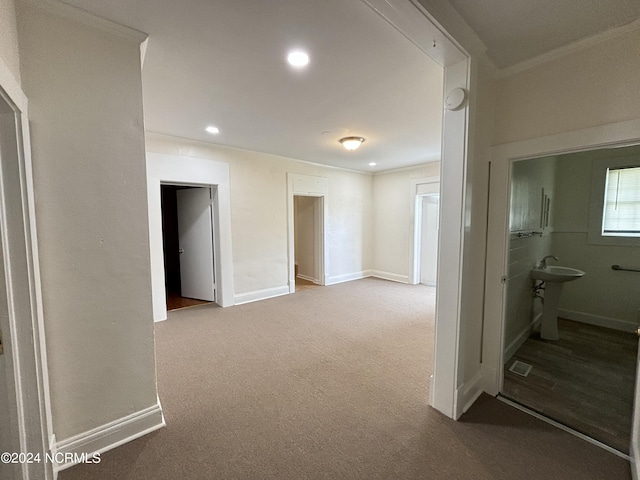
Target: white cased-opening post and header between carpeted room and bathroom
point(452, 389)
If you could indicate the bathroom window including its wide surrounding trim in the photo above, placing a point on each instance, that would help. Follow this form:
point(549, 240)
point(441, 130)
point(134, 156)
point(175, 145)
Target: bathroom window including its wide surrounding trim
point(614, 216)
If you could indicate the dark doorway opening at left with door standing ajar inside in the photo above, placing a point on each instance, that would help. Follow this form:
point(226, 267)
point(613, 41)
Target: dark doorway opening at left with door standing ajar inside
point(187, 236)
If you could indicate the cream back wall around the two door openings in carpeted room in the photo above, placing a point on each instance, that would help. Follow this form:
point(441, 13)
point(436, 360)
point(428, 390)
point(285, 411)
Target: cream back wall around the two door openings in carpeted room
point(259, 213)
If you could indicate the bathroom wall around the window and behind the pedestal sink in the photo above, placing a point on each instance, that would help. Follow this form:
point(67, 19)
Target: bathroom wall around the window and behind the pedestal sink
point(602, 292)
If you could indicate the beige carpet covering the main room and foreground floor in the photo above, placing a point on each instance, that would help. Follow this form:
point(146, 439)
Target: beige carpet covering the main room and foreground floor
point(329, 383)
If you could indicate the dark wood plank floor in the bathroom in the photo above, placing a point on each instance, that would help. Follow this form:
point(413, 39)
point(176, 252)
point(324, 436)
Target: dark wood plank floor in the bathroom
point(585, 380)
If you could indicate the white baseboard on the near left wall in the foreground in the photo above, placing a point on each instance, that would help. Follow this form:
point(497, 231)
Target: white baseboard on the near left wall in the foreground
point(110, 435)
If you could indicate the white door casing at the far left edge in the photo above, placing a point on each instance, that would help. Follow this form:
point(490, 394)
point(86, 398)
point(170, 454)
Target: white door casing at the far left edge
point(25, 421)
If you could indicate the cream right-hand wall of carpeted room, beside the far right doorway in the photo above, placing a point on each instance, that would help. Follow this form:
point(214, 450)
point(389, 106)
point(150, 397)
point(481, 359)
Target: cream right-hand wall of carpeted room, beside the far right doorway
point(392, 220)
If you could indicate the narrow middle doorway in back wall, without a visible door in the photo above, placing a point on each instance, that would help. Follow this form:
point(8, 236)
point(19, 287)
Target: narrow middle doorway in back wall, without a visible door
point(308, 240)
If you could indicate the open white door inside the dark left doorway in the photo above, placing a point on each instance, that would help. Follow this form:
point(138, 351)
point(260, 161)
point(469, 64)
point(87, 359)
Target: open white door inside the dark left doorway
point(196, 243)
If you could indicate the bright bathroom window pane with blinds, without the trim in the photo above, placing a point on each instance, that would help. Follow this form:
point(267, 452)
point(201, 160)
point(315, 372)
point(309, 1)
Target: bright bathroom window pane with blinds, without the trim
point(621, 212)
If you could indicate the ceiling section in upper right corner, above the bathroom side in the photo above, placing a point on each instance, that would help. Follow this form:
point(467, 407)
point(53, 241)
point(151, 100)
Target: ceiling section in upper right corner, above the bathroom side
point(517, 30)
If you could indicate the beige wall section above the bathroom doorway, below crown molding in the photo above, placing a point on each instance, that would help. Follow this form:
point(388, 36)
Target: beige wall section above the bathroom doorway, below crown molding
point(597, 85)
